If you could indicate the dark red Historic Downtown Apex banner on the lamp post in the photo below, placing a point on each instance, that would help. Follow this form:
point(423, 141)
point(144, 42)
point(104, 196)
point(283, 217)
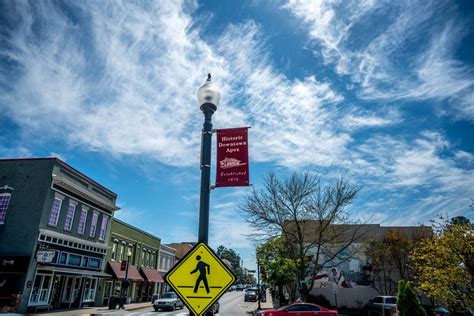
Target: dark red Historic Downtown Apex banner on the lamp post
point(232, 157)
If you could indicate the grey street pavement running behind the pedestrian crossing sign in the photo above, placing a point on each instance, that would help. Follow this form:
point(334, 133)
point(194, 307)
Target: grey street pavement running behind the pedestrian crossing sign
point(231, 303)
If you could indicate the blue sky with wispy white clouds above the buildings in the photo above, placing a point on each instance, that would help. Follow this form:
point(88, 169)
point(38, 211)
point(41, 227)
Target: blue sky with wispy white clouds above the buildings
point(378, 92)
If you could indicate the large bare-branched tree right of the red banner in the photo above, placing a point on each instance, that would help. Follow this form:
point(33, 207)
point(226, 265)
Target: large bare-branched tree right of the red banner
point(312, 219)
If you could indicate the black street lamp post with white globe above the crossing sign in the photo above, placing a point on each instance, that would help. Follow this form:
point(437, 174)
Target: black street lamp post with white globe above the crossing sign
point(208, 99)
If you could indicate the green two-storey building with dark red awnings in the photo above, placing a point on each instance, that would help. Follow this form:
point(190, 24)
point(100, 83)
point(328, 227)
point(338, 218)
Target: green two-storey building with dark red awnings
point(141, 250)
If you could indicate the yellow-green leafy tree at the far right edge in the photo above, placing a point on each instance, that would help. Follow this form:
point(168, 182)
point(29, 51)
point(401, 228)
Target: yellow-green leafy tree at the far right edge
point(444, 263)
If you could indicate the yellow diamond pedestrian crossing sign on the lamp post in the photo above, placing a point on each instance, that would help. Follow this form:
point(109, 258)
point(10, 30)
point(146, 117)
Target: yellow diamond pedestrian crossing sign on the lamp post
point(200, 278)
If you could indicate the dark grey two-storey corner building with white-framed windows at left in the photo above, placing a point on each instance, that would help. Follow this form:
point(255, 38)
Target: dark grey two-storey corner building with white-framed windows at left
point(54, 228)
